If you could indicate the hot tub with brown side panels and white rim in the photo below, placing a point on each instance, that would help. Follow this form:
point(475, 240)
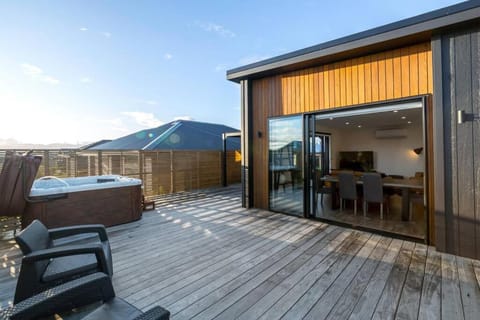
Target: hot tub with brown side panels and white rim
point(59, 202)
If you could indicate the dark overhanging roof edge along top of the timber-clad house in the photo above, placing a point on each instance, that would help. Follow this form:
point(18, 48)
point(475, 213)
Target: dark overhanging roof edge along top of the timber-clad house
point(411, 30)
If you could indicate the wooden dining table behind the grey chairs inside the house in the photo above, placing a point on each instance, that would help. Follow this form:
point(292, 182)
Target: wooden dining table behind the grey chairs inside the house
point(405, 185)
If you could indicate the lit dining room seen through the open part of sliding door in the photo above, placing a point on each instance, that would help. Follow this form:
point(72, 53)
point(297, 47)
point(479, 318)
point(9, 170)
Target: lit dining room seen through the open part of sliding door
point(369, 169)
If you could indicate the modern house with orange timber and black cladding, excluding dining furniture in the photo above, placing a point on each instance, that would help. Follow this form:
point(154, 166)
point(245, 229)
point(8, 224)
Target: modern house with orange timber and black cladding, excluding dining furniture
point(375, 95)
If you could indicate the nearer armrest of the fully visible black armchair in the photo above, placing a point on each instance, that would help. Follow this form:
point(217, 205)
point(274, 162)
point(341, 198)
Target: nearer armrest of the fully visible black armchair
point(69, 250)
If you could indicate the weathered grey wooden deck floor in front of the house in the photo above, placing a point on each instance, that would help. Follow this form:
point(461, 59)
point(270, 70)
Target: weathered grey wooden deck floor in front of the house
point(202, 256)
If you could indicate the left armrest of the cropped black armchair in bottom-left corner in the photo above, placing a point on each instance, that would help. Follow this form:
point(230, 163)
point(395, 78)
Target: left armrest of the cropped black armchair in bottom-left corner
point(72, 294)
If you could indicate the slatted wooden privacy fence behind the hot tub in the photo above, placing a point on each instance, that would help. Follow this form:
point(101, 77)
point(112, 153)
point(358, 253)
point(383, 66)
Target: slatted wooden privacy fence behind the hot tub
point(161, 171)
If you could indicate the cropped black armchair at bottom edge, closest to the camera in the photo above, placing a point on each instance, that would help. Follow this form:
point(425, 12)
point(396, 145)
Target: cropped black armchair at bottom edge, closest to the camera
point(78, 293)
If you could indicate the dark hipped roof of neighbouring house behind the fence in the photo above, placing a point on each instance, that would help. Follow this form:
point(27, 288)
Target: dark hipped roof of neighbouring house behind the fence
point(176, 135)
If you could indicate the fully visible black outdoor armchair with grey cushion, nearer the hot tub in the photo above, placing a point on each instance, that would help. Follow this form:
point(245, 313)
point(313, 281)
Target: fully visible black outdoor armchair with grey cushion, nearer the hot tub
point(46, 264)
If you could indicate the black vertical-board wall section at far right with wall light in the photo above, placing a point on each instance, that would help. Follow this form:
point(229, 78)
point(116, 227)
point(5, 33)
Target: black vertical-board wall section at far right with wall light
point(460, 67)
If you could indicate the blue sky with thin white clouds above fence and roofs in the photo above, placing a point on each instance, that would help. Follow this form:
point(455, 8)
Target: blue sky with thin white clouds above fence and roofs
point(80, 71)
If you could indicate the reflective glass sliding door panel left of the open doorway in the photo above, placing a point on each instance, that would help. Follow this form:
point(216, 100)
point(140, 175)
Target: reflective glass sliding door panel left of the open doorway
point(286, 164)
